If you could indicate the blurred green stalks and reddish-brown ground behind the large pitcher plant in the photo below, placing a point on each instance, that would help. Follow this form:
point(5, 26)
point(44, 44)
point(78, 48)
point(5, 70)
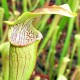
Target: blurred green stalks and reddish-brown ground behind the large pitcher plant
point(59, 50)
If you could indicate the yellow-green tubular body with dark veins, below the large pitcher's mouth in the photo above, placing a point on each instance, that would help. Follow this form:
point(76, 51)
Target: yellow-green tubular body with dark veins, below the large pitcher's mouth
point(22, 61)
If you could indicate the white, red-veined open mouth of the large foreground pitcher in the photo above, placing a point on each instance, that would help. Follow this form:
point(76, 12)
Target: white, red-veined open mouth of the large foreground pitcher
point(23, 34)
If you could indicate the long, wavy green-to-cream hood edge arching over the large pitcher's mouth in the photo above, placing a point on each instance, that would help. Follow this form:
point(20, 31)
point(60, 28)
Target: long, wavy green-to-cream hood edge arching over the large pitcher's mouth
point(61, 10)
